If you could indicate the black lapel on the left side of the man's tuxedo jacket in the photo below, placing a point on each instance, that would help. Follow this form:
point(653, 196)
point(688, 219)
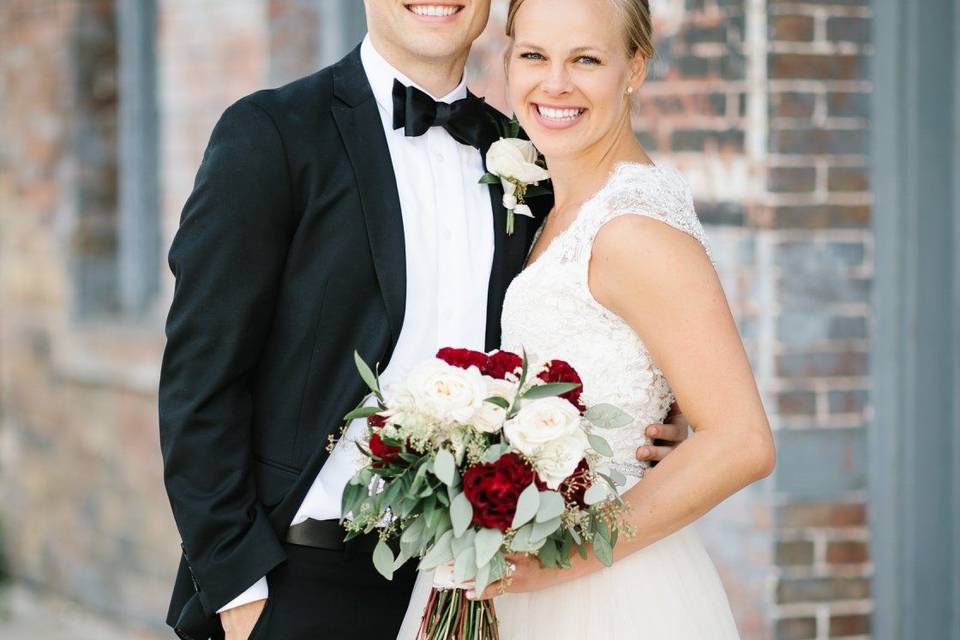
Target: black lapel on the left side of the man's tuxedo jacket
point(361, 128)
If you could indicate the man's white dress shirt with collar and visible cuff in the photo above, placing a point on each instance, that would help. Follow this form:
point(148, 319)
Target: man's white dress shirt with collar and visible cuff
point(448, 235)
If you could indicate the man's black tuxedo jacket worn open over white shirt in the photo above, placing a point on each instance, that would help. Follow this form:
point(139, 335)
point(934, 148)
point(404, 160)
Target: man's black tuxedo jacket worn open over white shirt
point(289, 255)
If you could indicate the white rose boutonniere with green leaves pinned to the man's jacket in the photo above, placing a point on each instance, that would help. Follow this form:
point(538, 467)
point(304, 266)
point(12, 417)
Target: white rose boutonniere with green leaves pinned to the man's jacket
point(517, 165)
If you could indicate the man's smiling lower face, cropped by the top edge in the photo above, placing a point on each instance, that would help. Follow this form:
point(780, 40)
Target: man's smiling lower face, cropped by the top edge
point(428, 29)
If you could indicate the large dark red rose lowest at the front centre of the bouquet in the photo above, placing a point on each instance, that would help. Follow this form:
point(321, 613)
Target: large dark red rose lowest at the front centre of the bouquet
point(494, 488)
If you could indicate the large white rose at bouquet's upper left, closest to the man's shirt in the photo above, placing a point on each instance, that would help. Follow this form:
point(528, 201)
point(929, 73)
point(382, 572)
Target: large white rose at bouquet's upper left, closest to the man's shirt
point(447, 393)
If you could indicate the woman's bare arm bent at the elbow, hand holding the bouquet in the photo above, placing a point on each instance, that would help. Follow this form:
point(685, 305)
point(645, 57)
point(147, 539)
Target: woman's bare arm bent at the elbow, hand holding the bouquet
point(662, 283)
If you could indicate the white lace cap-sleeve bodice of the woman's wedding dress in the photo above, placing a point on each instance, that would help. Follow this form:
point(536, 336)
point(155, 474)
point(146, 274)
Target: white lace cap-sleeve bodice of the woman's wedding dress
point(550, 312)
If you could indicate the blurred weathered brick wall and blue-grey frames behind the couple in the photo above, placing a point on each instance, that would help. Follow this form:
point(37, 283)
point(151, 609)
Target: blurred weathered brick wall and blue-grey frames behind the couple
point(821, 141)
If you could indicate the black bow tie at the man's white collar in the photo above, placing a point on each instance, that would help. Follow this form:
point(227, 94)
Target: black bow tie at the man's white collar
point(415, 112)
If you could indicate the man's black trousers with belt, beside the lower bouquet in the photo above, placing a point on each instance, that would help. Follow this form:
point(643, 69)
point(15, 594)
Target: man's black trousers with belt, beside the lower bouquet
point(332, 595)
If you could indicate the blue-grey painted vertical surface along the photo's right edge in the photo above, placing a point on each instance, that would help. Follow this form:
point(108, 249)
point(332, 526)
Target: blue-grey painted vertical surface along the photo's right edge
point(913, 441)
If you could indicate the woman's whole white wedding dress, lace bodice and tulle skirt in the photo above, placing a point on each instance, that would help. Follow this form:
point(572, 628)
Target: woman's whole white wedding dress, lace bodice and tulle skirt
point(669, 590)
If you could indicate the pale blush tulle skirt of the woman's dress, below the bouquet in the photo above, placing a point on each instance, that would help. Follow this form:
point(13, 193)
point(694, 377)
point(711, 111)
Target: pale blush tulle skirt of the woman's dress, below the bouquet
point(668, 591)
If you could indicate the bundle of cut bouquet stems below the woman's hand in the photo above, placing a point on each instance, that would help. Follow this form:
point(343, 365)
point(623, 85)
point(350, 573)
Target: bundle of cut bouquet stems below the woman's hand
point(450, 615)
